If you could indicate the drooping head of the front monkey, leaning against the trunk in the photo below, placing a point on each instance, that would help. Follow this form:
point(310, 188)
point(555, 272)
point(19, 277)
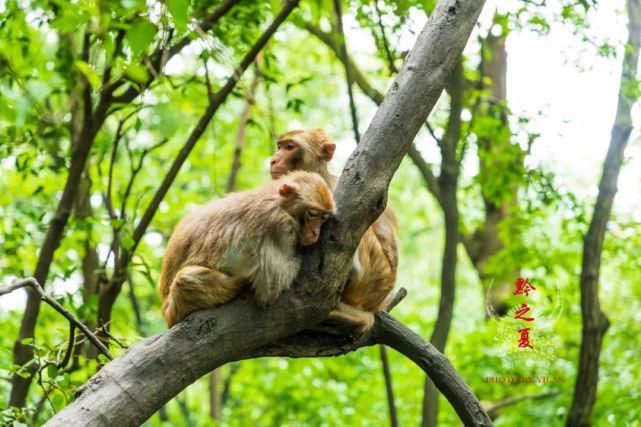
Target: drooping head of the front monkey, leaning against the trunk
point(307, 198)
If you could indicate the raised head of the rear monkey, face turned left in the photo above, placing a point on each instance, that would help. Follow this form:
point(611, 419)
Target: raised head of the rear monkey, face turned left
point(309, 150)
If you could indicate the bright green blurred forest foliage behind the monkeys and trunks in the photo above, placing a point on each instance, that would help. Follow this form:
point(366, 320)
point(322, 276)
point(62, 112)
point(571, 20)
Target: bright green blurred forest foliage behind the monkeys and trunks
point(57, 59)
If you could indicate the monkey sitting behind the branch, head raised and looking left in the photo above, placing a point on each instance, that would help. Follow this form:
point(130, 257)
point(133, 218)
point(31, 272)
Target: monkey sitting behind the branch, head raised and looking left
point(376, 258)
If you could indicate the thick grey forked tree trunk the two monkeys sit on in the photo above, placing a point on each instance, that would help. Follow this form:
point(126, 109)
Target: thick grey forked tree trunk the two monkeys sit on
point(128, 390)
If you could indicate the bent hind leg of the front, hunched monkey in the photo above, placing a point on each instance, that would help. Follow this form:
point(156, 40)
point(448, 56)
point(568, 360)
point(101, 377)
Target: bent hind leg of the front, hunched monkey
point(195, 288)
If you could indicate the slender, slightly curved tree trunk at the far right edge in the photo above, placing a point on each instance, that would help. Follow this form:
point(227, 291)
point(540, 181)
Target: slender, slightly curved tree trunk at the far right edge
point(594, 321)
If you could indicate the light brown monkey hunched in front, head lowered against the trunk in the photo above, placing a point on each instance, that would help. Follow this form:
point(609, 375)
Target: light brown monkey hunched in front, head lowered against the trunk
point(246, 238)
